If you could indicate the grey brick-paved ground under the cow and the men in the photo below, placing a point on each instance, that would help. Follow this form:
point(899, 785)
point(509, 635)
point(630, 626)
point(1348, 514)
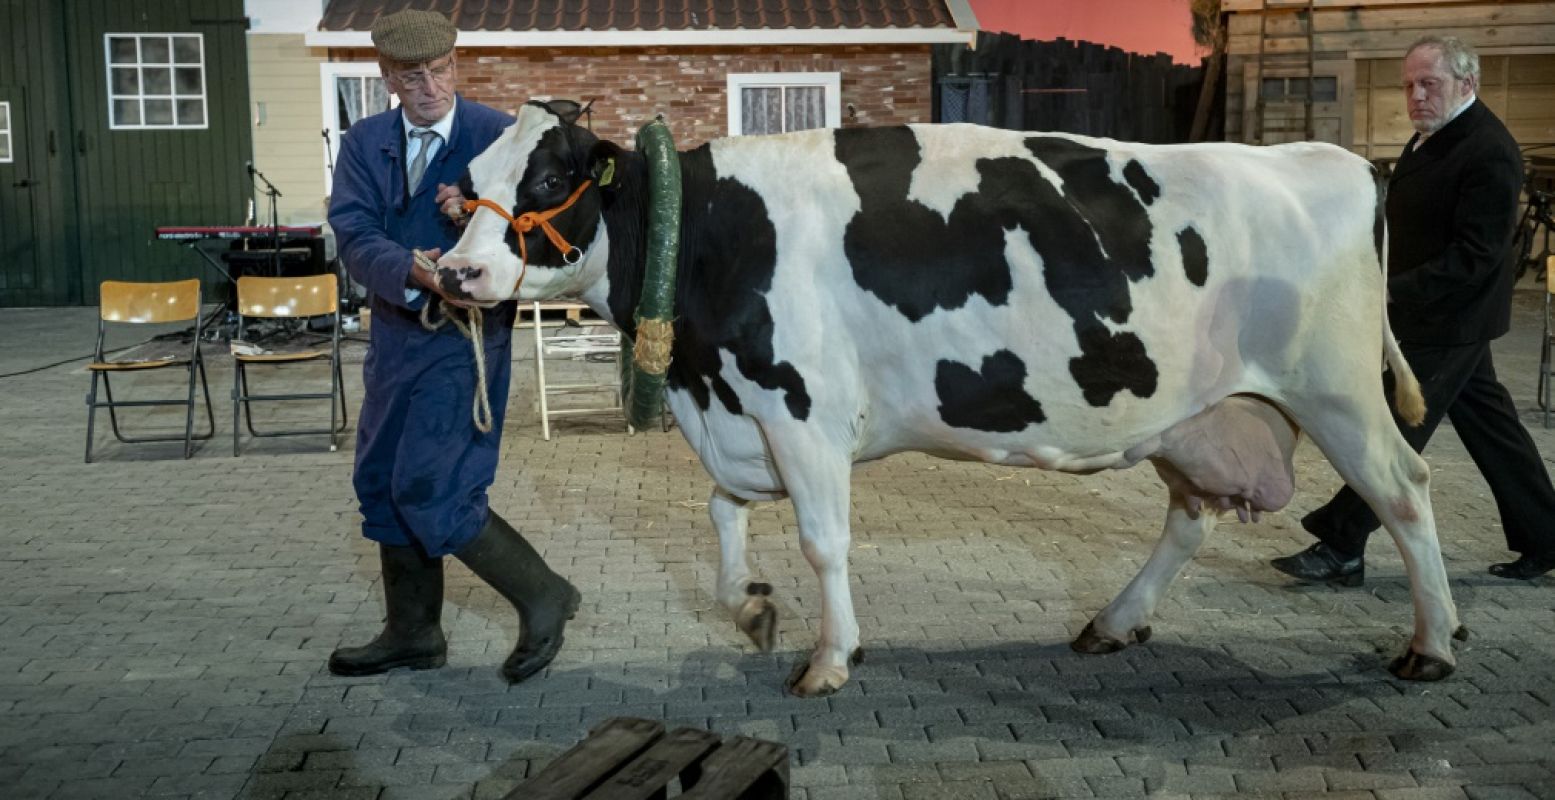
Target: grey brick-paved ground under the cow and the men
point(164, 626)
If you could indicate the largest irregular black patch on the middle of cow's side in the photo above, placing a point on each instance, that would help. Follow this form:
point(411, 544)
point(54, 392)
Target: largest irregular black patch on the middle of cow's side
point(1094, 239)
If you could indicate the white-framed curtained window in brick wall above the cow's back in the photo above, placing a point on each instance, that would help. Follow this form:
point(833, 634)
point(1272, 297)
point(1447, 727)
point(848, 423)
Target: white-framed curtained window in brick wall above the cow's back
point(777, 104)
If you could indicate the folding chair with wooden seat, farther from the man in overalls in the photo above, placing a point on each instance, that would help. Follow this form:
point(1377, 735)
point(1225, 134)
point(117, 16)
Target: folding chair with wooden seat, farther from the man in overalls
point(128, 303)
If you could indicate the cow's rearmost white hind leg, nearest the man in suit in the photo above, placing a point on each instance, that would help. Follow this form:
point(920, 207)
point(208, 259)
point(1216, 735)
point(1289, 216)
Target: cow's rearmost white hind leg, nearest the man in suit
point(1365, 446)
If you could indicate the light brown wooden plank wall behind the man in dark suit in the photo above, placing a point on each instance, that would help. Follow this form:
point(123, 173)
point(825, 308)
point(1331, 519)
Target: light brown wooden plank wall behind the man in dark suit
point(1363, 41)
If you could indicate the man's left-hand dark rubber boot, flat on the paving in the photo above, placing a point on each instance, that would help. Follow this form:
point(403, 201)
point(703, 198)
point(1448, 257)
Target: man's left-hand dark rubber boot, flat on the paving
point(414, 608)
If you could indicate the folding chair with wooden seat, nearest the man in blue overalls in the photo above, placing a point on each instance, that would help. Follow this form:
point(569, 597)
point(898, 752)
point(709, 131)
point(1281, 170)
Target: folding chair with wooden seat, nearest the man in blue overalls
point(287, 298)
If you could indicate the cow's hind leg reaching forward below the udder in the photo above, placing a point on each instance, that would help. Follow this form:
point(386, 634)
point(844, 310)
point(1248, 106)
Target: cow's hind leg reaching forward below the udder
point(1128, 616)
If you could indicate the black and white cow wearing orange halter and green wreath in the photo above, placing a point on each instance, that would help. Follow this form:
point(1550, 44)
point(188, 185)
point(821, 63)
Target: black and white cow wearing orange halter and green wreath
point(1027, 300)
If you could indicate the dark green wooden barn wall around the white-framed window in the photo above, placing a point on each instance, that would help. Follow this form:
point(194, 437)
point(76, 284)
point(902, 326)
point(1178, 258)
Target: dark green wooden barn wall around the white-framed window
point(103, 192)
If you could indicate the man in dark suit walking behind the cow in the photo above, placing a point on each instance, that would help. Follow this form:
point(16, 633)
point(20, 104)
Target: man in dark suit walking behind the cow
point(1452, 211)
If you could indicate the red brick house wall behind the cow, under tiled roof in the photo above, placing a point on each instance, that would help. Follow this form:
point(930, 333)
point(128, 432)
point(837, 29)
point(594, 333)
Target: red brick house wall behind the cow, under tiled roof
point(881, 85)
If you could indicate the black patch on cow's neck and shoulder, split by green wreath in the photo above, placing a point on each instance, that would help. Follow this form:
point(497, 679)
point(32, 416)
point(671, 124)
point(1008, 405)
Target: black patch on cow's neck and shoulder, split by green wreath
point(729, 258)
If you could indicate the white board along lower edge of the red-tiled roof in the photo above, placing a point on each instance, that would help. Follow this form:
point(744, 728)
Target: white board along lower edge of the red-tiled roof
point(722, 37)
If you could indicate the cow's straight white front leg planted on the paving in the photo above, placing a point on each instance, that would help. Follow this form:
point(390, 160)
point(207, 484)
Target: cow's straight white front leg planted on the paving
point(817, 475)
